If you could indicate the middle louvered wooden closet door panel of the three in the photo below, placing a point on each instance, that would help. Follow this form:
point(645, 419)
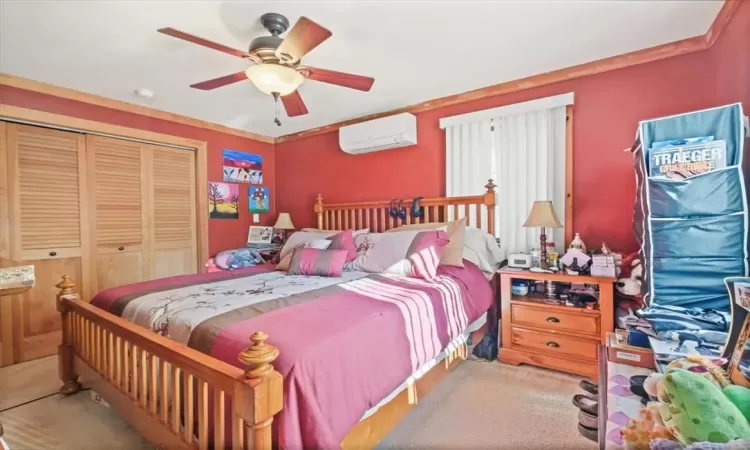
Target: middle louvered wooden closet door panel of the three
point(119, 218)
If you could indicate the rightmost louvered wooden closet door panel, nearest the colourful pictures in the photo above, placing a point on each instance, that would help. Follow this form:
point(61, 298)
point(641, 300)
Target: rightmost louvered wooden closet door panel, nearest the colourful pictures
point(173, 234)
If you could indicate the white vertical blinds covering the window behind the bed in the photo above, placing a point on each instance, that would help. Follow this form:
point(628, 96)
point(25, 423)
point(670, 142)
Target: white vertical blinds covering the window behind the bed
point(525, 155)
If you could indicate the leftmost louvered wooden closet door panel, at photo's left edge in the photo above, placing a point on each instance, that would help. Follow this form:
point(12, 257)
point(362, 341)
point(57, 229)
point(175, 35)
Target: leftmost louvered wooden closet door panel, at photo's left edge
point(46, 216)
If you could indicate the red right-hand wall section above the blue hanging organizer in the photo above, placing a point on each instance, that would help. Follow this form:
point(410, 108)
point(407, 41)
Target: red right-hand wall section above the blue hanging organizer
point(731, 58)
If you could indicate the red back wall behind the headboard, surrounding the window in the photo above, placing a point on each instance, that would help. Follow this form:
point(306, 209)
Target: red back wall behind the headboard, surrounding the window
point(608, 107)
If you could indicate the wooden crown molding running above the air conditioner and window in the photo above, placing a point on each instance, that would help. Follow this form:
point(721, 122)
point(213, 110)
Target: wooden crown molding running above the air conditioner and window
point(677, 48)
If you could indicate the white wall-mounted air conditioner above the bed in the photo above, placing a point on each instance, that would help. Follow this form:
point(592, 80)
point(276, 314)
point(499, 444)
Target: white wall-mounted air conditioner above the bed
point(385, 133)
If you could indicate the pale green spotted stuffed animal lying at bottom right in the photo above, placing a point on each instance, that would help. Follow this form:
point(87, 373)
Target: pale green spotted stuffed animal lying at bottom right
point(696, 410)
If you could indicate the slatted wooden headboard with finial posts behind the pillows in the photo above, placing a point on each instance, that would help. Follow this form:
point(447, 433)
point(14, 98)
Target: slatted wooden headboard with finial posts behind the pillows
point(479, 211)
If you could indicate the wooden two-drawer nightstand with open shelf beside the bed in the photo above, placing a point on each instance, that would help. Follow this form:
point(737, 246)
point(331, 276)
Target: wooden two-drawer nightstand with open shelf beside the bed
point(558, 337)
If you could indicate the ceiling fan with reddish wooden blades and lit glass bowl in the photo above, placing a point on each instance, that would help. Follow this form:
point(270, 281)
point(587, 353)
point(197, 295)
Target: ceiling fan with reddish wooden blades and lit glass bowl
point(276, 70)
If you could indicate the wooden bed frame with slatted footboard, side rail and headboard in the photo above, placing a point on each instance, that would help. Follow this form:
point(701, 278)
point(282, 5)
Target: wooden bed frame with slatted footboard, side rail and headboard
point(158, 385)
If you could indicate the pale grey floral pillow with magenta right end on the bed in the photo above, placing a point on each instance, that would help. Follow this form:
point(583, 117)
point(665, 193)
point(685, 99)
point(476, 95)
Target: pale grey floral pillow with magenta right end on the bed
point(407, 253)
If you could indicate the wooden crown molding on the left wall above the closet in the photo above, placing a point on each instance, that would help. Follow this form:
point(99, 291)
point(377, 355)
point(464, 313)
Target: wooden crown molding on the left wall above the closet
point(92, 99)
